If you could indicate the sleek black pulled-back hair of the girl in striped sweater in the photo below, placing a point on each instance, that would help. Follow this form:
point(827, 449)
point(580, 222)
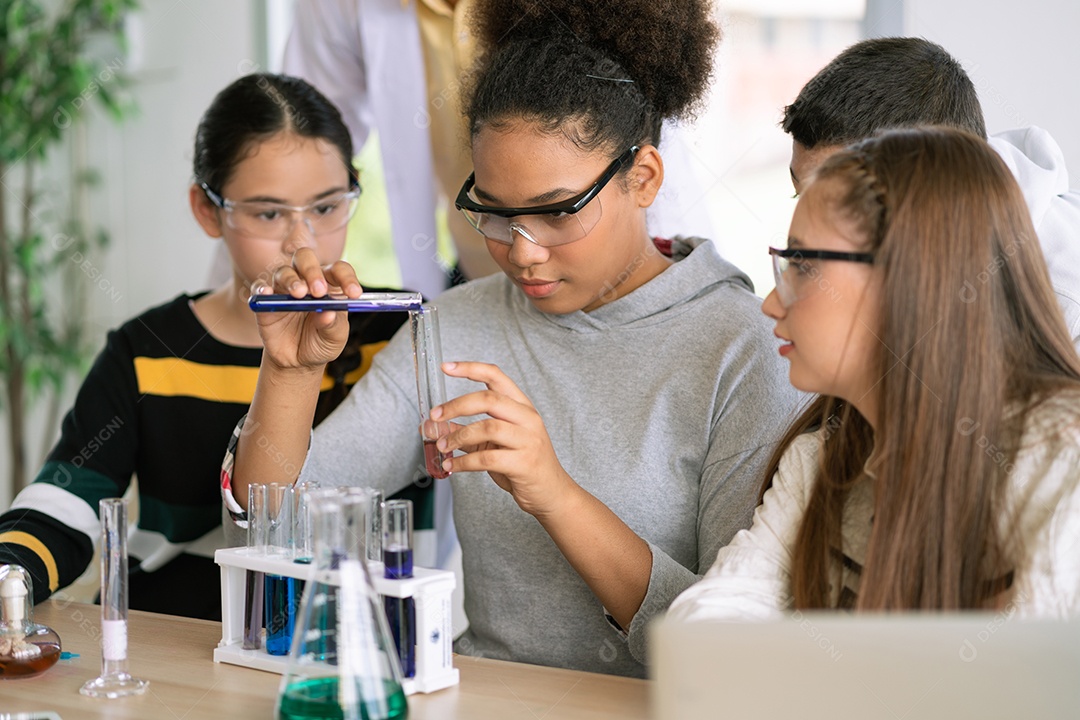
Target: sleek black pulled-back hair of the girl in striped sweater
point(256, 107)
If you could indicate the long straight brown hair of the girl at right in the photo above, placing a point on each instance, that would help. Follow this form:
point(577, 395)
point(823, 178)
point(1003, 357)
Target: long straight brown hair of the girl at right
point(970, 332)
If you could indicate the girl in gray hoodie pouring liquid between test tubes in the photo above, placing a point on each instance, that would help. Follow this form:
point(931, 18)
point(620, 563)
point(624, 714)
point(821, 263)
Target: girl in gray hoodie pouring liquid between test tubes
point(619, 400)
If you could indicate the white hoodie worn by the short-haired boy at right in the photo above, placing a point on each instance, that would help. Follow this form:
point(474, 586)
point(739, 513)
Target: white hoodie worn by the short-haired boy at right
point(1039, 167)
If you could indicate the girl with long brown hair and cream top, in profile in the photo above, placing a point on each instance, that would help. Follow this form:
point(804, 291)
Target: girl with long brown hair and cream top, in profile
point(940, 468)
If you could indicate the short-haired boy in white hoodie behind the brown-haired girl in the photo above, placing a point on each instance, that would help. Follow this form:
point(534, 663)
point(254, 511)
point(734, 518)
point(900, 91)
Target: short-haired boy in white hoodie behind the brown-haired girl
point(902, 83)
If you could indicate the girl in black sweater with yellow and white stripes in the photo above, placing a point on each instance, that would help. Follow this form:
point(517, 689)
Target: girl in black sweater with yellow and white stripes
point(273, 175)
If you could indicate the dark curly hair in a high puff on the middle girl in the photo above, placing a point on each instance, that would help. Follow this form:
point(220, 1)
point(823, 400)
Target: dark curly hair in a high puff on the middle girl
point(605, 74)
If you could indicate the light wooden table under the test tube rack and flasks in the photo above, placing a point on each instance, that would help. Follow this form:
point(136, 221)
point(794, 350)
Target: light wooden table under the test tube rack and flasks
point(175, 656)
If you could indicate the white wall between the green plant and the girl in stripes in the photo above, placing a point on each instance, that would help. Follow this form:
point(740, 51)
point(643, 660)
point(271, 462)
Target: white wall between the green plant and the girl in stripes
point(181, 56)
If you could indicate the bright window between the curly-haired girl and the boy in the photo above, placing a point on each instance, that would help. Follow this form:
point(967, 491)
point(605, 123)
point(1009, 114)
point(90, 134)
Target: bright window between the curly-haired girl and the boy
point(769, 51)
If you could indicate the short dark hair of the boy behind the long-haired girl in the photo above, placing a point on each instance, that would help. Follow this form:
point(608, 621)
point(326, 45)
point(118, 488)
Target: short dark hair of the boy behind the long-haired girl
point(880, 85)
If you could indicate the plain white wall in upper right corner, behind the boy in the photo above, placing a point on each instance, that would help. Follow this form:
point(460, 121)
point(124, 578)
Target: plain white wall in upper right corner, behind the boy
point(1022, 58)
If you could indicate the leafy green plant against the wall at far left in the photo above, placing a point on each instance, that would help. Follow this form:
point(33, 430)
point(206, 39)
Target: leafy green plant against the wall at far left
point(49, 78)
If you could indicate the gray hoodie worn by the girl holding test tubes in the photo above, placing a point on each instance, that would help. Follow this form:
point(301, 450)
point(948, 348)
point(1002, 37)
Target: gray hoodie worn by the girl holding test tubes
point(665, 404)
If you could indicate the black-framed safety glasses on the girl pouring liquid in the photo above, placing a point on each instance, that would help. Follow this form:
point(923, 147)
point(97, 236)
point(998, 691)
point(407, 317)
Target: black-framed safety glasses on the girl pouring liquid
point(556, 224)
